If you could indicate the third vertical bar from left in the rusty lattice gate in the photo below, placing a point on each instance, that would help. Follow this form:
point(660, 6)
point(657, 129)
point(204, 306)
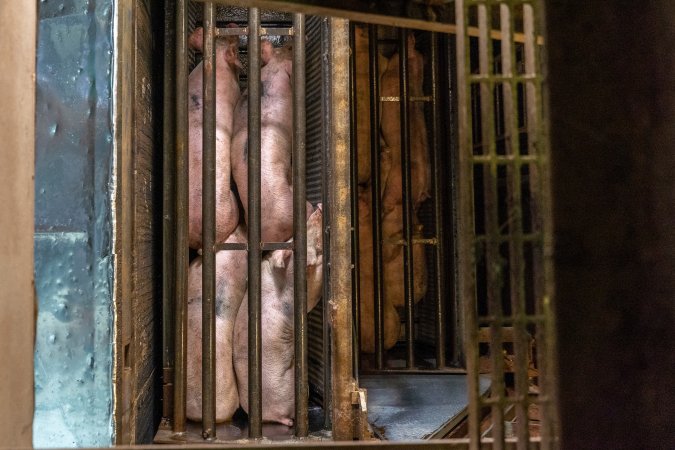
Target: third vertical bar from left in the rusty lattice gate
point(515, 217)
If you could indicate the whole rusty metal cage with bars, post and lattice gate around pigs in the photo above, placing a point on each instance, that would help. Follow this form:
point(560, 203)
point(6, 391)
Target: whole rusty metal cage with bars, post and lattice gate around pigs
point(488, 223)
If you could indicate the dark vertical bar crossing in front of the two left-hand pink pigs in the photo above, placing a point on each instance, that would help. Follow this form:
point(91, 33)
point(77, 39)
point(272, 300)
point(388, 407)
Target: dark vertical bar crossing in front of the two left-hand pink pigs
point(209, 226)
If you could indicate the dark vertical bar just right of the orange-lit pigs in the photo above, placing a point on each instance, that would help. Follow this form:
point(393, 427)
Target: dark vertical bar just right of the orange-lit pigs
point(438, 204)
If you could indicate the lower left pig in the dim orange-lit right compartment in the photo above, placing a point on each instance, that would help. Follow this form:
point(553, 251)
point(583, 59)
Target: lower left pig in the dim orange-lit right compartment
point(391, 319)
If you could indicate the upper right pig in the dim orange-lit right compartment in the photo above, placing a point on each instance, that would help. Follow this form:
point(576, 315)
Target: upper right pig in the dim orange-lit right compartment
point(390, 127)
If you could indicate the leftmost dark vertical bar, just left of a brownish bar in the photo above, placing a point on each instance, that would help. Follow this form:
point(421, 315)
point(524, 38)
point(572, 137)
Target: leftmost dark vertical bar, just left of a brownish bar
point(169, 208)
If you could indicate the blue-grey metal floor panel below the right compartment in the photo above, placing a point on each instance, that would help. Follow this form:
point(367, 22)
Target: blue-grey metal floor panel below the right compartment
point(410, 407)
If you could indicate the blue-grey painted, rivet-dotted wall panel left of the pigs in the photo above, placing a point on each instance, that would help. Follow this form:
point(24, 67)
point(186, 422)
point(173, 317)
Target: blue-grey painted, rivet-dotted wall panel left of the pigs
point(73, 261)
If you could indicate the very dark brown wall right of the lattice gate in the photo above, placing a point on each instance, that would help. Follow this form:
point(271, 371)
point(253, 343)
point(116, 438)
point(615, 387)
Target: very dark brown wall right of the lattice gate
point(612, 97)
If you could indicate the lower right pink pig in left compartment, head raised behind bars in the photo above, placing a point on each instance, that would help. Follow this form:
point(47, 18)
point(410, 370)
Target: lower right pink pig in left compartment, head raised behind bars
point(278, 369)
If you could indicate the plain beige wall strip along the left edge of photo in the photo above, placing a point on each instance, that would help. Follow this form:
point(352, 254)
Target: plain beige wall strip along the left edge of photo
point(17, 315)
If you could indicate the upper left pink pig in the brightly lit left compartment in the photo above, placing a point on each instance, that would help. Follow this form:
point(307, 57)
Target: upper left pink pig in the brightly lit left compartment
point(227, 95)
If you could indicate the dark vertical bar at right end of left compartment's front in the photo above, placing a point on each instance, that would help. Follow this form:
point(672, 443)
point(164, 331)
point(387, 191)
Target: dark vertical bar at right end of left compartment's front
point(300, 228)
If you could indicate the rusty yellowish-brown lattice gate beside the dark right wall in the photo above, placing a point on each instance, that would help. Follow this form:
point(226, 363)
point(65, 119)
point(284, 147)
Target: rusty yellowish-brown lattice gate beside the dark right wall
point(517, 165)
